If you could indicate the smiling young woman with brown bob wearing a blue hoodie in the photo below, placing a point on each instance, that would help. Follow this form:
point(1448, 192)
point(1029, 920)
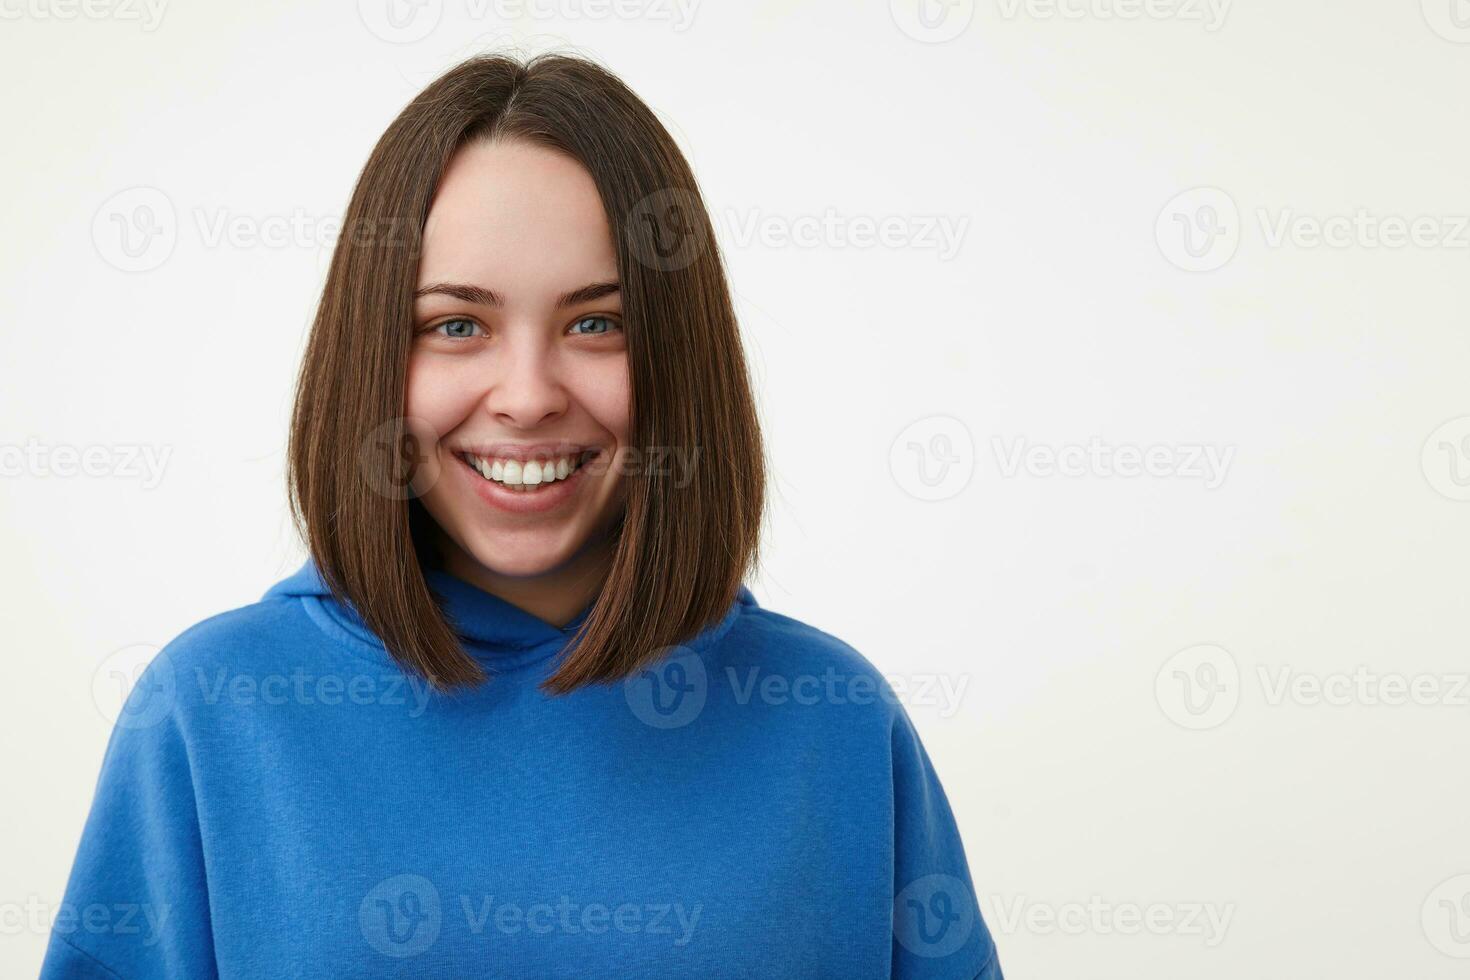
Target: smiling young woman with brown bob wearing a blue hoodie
point(518, 716)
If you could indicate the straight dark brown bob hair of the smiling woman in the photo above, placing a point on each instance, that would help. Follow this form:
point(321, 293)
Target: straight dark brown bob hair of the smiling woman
point(683, 550)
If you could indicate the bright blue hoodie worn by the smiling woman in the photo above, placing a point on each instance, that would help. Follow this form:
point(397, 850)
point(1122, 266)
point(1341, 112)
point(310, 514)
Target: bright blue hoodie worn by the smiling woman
point(282, 800)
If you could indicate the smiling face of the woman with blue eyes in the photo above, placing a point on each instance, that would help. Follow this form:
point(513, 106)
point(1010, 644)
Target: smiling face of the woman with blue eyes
point(518, 378)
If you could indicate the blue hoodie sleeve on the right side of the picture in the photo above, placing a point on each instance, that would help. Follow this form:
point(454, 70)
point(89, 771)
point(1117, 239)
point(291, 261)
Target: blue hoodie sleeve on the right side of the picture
point(939, 929)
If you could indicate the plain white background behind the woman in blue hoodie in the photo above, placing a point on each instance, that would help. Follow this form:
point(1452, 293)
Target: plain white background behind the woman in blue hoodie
point(1087, 774)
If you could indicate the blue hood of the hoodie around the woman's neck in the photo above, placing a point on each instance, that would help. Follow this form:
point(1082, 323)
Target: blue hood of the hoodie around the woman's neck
point(495, 631)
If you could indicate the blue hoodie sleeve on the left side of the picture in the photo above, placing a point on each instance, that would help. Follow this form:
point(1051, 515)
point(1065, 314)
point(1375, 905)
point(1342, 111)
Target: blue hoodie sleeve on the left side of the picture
point(137, 904)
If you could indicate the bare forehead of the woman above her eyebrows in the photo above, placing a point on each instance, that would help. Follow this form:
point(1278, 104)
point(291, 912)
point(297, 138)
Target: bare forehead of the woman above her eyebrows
point(517, 218)
